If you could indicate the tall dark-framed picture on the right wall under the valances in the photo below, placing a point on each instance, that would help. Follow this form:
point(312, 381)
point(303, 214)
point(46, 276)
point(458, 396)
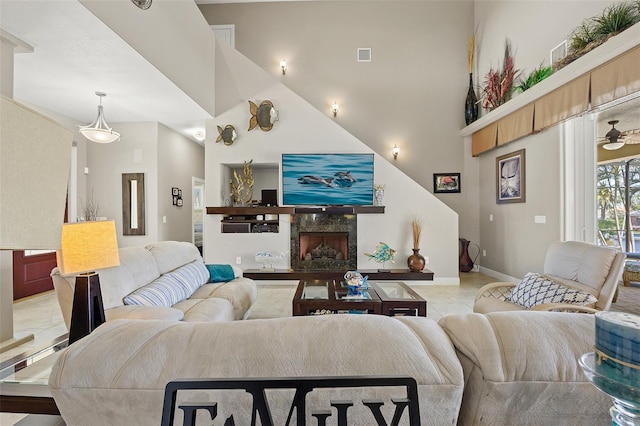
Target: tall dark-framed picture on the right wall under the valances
point(511, 178)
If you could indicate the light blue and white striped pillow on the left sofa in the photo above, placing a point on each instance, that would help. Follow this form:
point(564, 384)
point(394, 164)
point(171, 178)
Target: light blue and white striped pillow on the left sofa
point(163, 291)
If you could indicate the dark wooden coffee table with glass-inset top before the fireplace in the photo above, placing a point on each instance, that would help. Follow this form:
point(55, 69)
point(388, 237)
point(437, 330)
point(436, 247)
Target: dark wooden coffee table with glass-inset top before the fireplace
point(316, 297)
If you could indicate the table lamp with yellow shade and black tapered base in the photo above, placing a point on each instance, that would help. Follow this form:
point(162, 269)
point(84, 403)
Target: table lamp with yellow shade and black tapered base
point(86, 247)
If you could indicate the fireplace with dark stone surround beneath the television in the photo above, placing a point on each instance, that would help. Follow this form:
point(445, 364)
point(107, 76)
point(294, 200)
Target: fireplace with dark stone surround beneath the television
point(324, 242)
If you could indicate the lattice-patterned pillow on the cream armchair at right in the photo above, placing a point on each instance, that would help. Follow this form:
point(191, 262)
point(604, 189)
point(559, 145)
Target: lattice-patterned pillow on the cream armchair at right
point(536, 289)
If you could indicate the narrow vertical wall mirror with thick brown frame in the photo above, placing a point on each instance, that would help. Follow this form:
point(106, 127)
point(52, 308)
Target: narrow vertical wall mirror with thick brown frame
point(133, 204)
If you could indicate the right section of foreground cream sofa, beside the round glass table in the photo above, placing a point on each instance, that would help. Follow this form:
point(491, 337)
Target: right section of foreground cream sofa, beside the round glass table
point(522, 368)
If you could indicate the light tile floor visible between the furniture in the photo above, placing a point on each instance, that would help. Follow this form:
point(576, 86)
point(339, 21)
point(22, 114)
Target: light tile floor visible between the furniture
point(41, 316)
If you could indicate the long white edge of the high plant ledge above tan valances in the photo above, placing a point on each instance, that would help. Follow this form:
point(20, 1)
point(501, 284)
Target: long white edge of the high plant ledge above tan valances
point(611, 49)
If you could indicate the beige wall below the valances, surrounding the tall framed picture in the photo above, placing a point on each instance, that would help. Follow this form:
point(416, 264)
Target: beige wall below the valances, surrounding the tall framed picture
point(514, 243)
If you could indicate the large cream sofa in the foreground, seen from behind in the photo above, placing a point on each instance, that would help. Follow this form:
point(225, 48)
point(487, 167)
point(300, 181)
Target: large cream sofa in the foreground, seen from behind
point(503, 368)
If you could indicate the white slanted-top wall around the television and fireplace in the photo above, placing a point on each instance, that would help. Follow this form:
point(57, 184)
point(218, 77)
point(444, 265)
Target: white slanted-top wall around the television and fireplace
point(304, 129)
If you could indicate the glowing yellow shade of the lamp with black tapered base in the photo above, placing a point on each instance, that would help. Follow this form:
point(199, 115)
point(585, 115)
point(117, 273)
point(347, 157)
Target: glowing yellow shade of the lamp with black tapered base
point(88, 246)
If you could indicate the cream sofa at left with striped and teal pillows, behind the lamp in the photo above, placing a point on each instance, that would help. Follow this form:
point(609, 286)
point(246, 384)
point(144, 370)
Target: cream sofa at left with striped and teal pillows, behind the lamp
point(141, 267)
